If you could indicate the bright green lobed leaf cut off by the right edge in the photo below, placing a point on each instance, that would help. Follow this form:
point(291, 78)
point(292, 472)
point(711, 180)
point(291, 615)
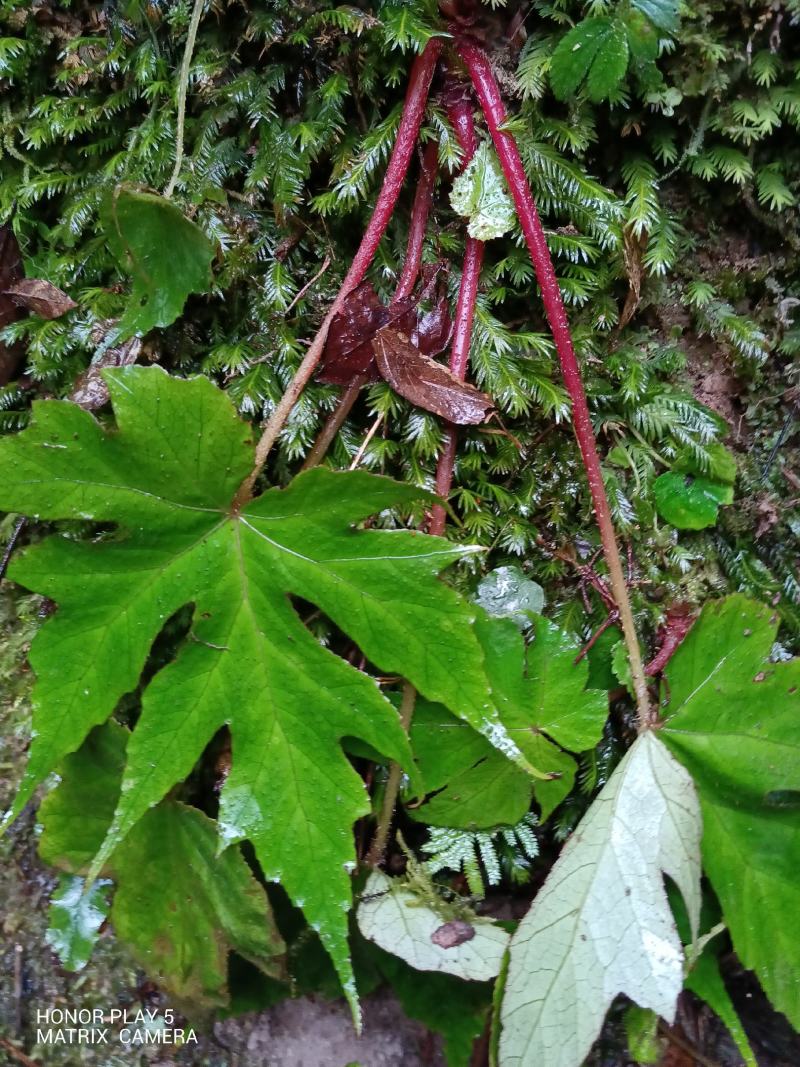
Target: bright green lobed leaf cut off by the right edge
point(732, 720)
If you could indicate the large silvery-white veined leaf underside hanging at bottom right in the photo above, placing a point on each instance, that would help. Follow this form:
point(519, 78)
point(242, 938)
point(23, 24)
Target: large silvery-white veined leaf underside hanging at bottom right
point(602, 925)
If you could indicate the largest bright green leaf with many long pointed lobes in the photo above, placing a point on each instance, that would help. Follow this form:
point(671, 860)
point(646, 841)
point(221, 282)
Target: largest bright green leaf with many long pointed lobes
point(167, 477)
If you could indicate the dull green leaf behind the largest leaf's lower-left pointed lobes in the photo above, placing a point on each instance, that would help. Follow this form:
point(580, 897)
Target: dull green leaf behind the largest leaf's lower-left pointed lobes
point(179, 905)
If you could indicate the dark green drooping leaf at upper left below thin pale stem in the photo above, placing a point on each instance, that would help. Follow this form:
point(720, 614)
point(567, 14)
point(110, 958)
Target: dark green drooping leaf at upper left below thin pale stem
point(167, 256)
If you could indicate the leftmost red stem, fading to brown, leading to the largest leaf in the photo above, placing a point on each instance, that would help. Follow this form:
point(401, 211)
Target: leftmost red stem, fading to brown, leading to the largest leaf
point(420, 84)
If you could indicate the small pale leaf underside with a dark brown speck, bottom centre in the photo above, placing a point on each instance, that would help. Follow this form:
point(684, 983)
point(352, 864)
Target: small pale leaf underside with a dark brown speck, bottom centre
point(403, 923)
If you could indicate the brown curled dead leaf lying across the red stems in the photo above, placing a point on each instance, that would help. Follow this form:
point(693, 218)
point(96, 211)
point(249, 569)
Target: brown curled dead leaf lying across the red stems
point(426, 384)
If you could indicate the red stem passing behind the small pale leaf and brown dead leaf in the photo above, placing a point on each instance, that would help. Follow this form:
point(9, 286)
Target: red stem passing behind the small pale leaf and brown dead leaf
point(460, 114)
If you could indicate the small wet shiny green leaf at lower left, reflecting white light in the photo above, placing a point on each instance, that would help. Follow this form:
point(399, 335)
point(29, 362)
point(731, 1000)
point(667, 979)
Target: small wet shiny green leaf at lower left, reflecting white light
point(75, 919)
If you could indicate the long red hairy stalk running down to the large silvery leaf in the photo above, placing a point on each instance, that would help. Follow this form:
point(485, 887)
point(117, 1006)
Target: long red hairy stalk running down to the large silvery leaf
point(491, 101)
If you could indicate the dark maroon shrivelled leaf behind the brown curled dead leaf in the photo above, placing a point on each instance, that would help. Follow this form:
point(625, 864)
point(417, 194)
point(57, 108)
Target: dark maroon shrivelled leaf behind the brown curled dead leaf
point(348, 352)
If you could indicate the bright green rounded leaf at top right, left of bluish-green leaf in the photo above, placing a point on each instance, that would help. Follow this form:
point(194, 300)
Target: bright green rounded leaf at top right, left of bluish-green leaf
point(594, 54)
